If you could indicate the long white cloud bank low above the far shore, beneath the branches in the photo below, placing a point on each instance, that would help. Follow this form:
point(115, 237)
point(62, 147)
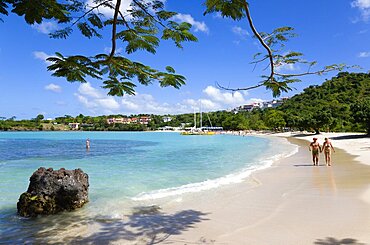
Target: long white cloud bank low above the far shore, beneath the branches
point(214, 99)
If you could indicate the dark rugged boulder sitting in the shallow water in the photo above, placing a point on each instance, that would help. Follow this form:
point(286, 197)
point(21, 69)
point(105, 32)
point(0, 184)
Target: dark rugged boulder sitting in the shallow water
point(52, 191)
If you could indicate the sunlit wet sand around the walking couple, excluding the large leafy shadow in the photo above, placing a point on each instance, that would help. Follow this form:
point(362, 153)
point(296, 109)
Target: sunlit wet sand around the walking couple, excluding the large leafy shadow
point(291, 202)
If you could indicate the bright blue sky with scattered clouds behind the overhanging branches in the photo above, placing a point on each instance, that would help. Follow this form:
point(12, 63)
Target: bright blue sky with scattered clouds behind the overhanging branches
point(329, 31)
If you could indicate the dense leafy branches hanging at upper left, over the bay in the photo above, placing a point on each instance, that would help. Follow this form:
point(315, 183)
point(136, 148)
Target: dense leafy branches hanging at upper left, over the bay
point(141, 28)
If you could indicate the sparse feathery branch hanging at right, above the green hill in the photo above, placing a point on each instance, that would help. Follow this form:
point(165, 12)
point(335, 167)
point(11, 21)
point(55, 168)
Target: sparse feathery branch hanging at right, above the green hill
point(273, 43)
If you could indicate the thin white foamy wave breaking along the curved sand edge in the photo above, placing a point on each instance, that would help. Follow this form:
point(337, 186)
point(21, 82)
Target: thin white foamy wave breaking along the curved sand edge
point(215, 183)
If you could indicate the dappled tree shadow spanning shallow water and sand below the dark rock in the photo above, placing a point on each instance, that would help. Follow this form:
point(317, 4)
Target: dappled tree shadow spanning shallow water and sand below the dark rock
point(146, 225)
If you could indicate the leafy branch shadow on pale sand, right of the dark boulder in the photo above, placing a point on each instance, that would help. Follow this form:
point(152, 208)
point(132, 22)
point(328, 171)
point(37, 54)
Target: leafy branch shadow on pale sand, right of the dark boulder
point(145, 225)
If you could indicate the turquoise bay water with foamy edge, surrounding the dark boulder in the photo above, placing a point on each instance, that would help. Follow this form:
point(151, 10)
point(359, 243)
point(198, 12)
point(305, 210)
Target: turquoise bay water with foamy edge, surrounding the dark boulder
point(125, 169)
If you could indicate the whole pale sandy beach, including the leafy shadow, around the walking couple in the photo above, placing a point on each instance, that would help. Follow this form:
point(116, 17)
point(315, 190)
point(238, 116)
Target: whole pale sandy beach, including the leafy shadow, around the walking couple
point(291, 202)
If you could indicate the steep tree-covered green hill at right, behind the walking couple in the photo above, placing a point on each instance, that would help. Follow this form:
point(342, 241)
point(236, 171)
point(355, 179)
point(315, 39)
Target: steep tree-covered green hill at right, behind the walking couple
point(339, 104)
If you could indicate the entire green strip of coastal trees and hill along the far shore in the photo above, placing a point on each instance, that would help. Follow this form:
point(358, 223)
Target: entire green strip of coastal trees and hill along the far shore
point(341, 104)
